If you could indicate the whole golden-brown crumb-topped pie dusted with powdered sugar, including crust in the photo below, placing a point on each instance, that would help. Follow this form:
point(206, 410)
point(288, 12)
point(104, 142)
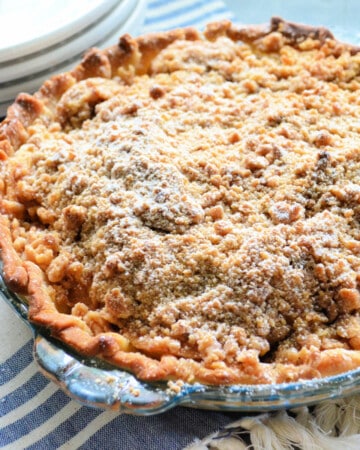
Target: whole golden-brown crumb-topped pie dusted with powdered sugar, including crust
point(194, 239)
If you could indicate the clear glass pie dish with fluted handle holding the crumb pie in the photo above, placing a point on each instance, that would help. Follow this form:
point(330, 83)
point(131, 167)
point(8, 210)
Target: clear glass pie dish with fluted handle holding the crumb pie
point(98, 384)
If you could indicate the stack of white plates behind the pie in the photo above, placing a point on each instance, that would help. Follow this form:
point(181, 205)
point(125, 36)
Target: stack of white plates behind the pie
point(39, 39)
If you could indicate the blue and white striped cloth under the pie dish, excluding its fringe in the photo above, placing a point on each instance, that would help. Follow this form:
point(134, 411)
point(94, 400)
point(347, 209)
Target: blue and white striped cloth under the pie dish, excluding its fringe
point(34, 412)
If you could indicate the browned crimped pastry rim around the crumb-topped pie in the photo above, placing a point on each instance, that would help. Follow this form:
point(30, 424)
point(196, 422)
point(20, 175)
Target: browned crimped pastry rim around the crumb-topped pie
point(28, 278)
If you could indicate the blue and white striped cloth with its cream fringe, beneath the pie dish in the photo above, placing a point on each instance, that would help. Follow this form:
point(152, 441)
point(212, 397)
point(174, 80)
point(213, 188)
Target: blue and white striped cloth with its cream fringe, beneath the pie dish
point(36, 414)
